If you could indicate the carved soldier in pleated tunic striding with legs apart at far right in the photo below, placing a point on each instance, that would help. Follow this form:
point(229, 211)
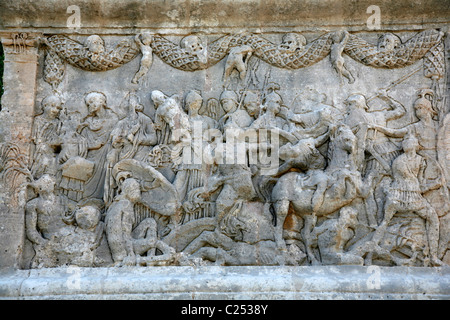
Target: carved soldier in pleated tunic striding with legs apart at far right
point(405, 195)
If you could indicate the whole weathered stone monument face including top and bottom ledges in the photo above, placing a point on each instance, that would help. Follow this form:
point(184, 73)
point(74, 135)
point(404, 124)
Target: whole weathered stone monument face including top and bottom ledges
point(203, 134)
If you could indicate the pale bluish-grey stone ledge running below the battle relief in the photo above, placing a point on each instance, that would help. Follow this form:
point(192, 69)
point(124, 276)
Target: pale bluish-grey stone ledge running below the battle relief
point(264, 283)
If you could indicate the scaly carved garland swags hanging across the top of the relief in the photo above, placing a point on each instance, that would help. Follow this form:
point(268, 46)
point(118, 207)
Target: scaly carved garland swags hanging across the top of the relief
point(427, 44)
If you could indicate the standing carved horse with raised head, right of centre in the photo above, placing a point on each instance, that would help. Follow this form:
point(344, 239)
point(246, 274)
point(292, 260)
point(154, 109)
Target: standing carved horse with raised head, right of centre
point(316, 192)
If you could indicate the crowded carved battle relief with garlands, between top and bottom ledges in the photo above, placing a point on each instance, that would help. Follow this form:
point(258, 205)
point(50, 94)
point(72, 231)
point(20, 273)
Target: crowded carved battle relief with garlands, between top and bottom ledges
point(343, 185)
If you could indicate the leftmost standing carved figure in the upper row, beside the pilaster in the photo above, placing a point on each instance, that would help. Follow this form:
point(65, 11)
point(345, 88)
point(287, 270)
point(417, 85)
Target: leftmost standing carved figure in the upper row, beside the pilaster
point(46, 138)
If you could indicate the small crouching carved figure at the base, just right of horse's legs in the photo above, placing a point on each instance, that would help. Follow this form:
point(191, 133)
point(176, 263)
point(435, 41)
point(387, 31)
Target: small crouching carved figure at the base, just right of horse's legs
point(333, 235)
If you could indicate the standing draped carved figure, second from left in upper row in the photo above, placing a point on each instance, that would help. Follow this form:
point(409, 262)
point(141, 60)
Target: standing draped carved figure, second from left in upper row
point(96, 129)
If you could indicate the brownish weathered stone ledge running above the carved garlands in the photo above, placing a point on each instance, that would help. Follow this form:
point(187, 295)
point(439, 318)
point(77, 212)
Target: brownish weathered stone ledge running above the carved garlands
point(222, 14)
